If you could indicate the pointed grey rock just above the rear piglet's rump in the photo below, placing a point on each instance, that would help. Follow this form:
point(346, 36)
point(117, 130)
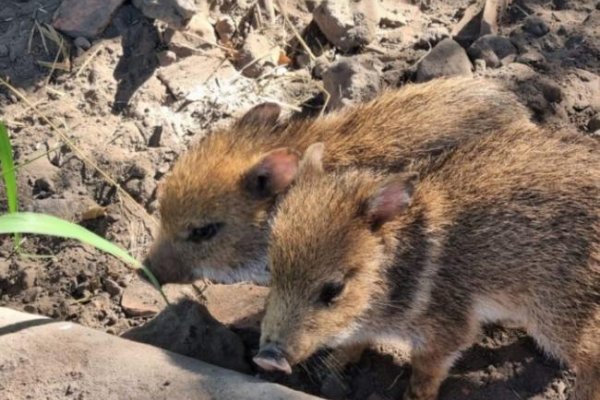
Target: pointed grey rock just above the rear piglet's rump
point(446, 59)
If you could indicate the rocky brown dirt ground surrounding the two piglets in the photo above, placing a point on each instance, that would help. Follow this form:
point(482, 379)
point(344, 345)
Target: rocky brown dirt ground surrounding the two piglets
point(130, 114)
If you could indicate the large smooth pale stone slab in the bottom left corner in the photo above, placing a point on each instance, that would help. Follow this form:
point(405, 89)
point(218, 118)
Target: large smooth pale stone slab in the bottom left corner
point(46, 359)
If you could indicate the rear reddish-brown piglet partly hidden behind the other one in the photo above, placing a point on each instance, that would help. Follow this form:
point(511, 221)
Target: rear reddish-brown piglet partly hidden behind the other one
point(216, 202)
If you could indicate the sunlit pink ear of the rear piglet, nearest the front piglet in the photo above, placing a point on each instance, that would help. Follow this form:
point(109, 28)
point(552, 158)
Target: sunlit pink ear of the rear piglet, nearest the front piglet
point(273, 174)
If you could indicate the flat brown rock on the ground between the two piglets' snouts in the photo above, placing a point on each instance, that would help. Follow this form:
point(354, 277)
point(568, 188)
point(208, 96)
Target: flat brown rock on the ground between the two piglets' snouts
point(238, 305)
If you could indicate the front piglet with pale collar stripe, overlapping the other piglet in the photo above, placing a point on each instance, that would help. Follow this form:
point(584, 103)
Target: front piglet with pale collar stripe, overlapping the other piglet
point(506, 227)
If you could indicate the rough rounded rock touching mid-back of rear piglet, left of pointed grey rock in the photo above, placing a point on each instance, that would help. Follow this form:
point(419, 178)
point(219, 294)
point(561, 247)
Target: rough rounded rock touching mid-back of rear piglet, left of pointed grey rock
point(350, 80)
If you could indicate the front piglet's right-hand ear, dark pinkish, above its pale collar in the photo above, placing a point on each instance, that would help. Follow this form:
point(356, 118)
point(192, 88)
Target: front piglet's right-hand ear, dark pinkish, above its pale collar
point(391, 199)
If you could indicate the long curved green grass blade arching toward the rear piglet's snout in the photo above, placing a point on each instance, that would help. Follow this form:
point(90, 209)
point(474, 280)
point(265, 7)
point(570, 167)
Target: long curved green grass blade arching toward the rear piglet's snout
point(43, 224)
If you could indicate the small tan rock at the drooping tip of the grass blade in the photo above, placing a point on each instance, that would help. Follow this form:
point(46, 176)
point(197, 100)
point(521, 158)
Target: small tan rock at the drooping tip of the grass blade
point(140, 299)
